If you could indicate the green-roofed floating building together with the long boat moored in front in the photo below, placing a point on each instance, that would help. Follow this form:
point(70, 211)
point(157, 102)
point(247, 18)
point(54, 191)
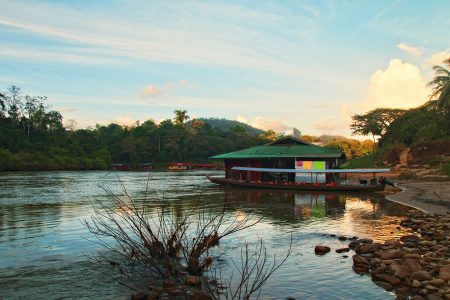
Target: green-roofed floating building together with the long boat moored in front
point(291, 163)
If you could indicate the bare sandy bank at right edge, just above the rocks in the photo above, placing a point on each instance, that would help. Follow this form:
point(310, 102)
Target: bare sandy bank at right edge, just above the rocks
point(431, 197)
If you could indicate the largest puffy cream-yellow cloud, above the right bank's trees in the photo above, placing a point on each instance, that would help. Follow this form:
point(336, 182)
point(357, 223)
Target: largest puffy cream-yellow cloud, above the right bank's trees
point(400, 85)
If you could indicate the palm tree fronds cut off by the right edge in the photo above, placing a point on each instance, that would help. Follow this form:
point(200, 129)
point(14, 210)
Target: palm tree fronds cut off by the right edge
point(441, 86)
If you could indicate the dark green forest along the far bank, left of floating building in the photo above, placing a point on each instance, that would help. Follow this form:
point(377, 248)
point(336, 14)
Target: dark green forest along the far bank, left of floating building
point(32, 137)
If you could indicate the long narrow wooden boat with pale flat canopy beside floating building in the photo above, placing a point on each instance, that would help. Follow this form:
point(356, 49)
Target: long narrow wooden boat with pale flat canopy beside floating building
point(368, 186)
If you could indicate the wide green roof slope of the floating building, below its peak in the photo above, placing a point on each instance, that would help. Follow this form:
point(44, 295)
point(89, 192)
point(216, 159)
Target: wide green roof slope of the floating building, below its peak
point(273, 151)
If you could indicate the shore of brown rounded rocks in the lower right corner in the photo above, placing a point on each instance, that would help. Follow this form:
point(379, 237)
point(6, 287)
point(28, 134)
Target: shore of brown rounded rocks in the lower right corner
point(415, 266)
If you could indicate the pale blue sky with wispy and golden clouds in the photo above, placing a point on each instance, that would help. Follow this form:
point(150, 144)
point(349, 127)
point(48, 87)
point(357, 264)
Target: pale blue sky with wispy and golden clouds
point(271, 64)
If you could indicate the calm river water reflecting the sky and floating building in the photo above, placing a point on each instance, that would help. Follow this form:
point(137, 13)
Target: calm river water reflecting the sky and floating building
point(45, 249)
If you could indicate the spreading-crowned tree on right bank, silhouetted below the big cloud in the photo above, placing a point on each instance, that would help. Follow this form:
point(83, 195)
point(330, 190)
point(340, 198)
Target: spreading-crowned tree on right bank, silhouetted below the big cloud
point(375, 122)
